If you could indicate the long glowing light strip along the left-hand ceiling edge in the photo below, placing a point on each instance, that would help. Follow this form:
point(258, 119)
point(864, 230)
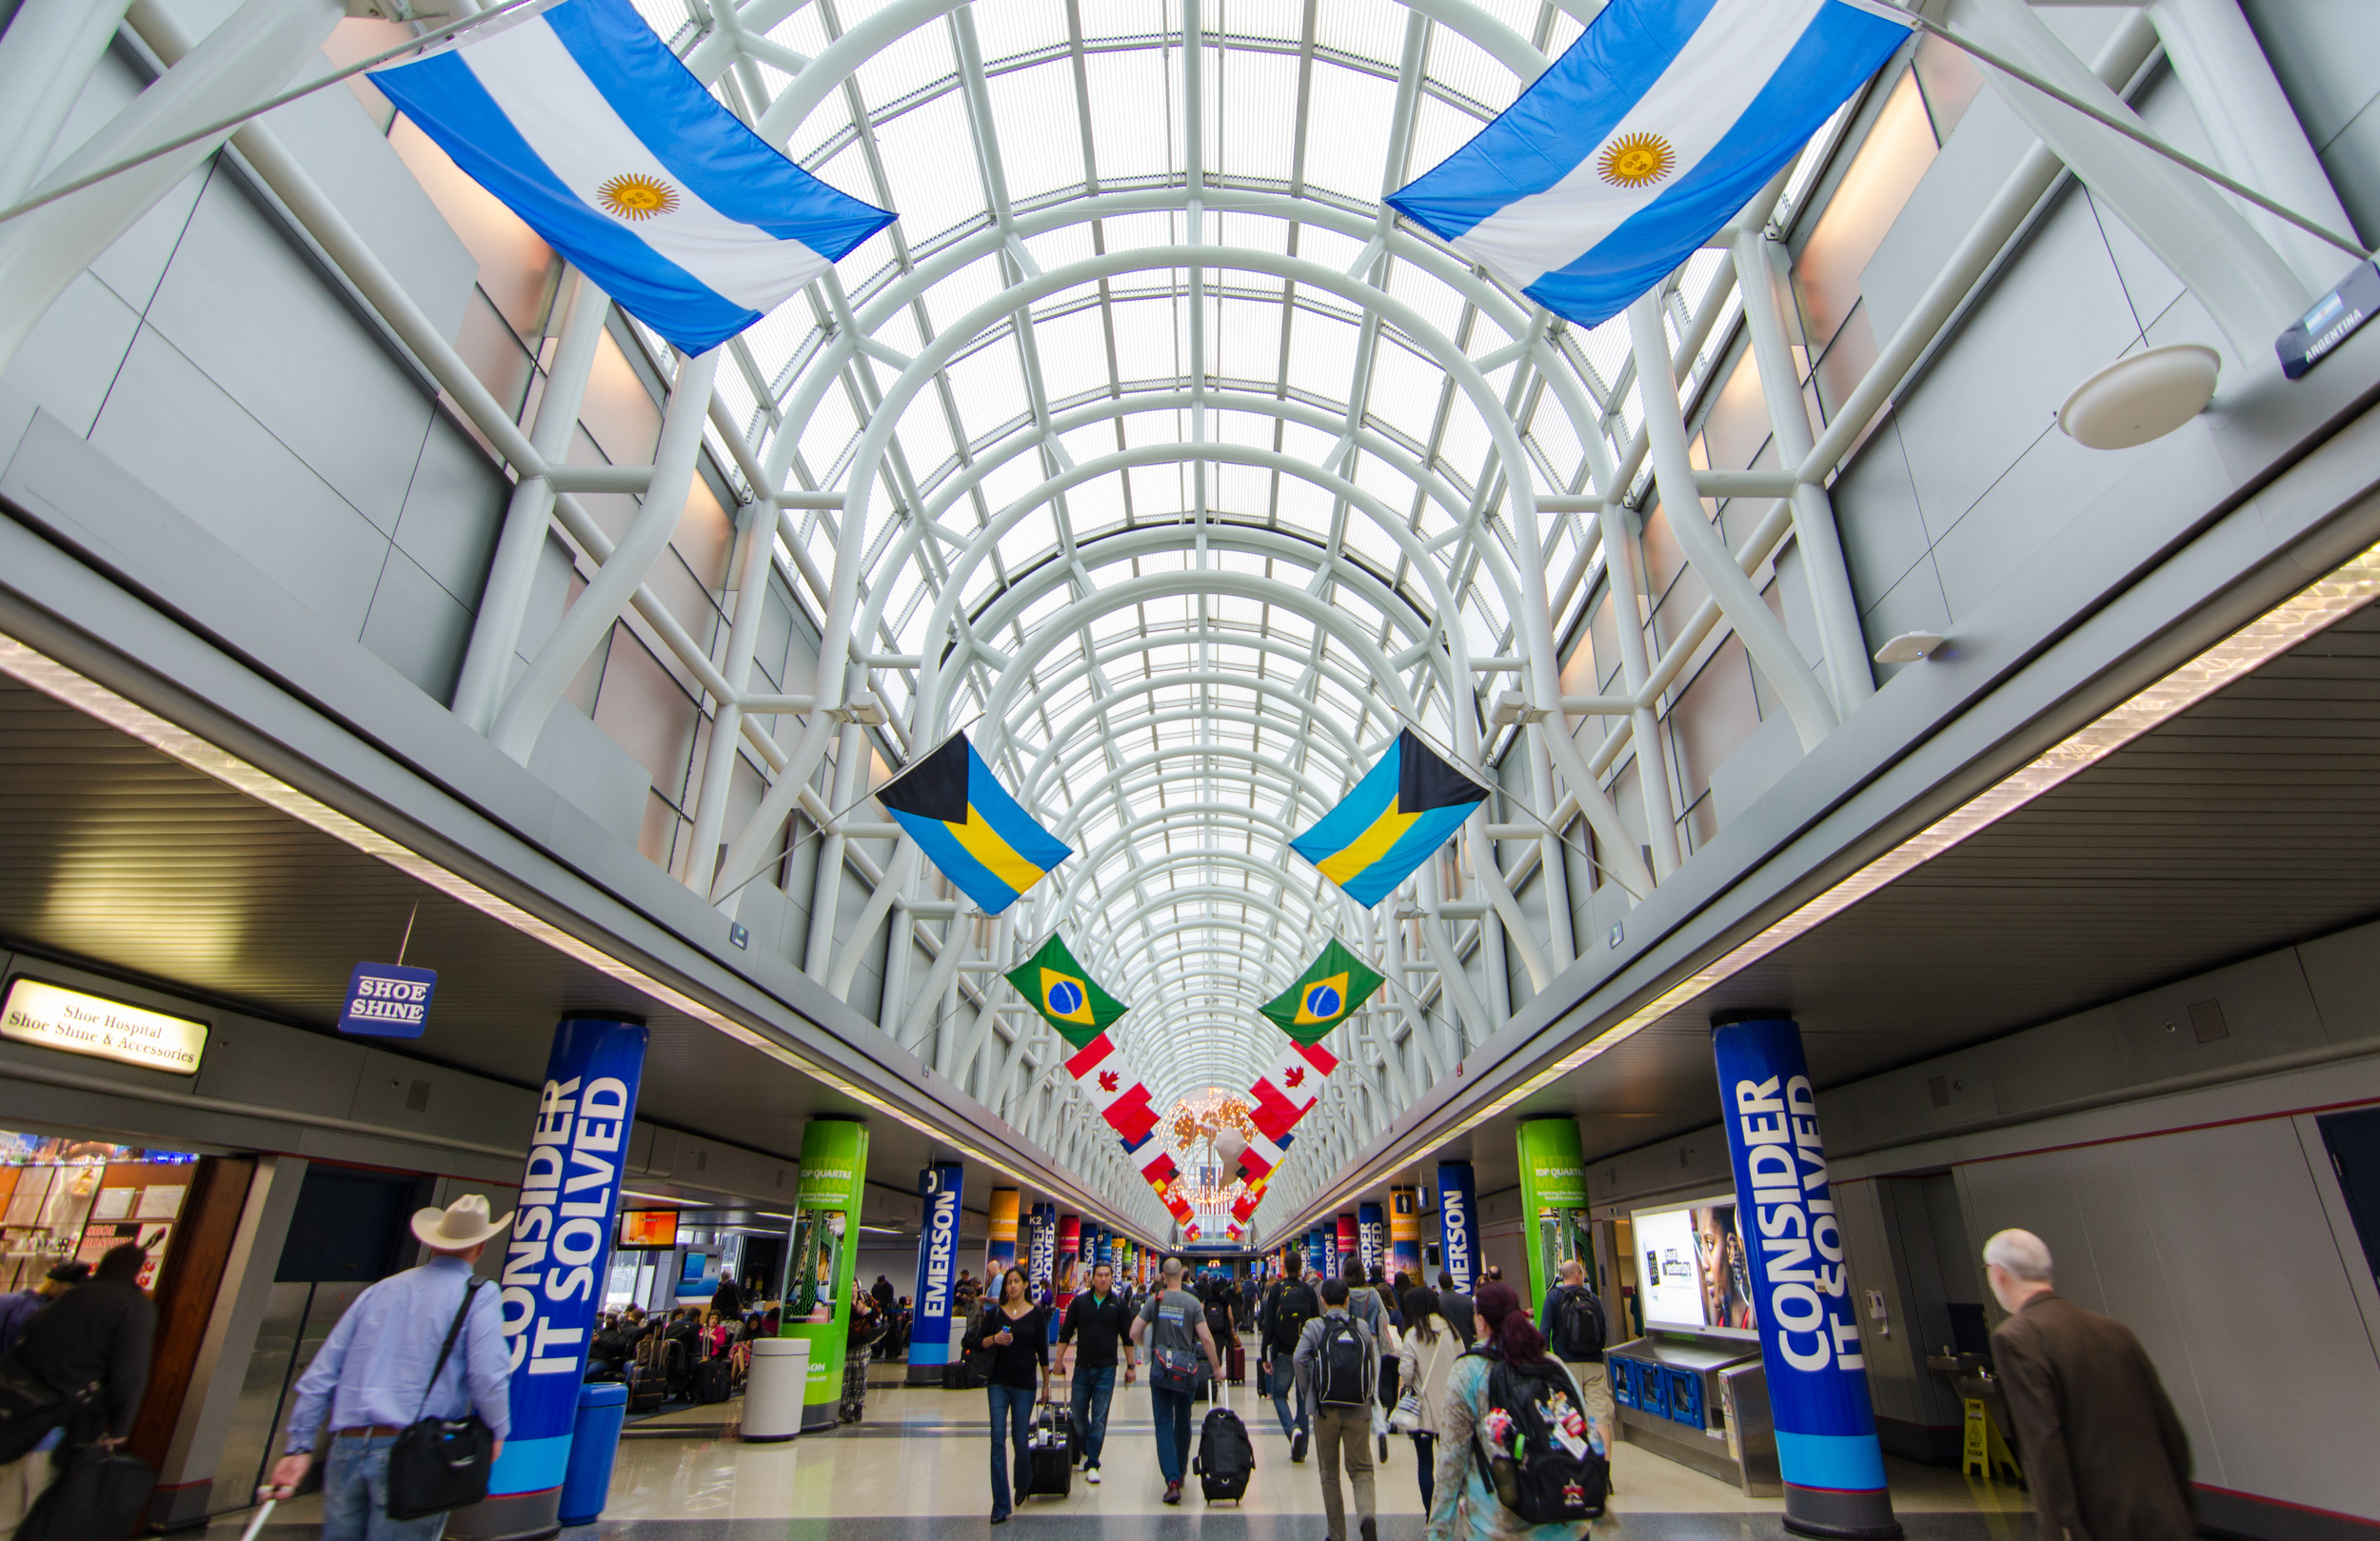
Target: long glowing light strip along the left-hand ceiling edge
point(132, 719)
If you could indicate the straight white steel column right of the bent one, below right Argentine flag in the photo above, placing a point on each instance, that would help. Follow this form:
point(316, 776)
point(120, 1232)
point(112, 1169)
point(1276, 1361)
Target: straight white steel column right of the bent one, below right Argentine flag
point(1812, 510)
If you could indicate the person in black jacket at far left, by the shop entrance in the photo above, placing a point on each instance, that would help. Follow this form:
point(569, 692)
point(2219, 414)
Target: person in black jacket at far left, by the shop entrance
point(94, 1335)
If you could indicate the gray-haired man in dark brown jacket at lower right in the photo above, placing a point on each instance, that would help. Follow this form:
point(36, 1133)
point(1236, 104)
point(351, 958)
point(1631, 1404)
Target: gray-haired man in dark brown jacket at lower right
point(2103, 1449)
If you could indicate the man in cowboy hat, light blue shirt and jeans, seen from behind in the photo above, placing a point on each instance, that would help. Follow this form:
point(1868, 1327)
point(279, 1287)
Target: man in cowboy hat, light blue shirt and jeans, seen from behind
point(372, 1376)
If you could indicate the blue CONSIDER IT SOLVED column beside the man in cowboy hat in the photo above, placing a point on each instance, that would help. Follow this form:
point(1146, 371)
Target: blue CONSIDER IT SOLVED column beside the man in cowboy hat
point(556, 1257)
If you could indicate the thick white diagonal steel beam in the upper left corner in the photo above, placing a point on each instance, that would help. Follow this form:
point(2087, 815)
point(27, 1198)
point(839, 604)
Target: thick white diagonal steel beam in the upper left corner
point(244, 61)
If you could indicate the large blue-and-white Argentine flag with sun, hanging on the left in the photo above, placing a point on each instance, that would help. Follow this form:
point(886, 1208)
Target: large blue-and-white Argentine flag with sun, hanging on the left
point(587, 127)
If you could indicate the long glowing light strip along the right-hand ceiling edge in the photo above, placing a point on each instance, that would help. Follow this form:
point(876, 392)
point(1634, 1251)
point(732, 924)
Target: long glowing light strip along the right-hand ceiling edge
point(2238, 655)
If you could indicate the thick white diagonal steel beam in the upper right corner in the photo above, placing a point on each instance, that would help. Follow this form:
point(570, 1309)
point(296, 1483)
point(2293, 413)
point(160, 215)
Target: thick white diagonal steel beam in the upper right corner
point(2184, 220)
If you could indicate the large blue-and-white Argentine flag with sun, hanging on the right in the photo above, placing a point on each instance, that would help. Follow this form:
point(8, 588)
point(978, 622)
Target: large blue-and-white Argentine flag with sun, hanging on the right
point(1643, 139)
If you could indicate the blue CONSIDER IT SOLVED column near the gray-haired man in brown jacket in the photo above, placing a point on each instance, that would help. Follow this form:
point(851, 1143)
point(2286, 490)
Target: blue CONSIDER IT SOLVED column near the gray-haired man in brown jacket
point(1810, 1331)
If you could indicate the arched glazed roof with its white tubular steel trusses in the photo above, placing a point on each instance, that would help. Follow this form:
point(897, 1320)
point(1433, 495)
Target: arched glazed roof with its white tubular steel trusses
point(1153, 451)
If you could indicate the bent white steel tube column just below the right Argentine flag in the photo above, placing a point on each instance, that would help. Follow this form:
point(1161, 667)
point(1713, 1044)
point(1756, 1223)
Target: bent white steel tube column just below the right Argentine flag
point(1765, 636)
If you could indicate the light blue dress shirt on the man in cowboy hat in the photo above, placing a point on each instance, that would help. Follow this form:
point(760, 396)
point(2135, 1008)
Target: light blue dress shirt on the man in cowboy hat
point(377, 1361)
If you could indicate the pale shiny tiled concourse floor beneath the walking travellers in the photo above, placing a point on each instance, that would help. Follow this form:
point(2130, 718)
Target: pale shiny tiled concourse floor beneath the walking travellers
point(917, 1466)
